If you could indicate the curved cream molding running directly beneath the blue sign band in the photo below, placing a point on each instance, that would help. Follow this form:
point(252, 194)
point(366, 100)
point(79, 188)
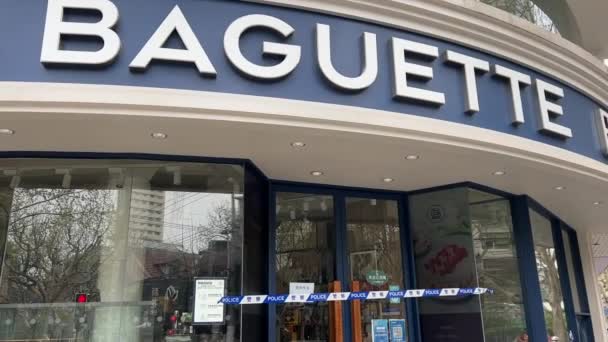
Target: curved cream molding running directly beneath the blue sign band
point(90, 100)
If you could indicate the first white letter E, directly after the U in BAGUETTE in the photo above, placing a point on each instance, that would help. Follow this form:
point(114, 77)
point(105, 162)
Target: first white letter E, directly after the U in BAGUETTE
point(403, 68)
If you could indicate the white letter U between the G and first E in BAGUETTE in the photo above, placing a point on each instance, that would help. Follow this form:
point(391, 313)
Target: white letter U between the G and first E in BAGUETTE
point(370, 69)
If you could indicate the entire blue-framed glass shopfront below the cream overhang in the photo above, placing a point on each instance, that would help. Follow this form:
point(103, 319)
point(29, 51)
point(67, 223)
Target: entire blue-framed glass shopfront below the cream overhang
point(135, 237)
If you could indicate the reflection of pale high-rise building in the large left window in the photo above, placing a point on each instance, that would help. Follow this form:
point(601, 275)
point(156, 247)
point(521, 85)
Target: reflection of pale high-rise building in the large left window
point(147, 214)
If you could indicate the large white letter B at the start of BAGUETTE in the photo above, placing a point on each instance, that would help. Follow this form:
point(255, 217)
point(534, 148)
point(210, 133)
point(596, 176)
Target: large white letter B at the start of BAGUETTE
point(55, 27)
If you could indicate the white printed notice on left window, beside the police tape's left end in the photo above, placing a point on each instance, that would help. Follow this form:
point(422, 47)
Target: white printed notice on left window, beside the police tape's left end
point(207, 294)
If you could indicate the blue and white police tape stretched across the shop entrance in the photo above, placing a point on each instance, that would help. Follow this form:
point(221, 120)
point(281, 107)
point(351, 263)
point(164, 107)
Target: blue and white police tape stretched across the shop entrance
point(350, 296)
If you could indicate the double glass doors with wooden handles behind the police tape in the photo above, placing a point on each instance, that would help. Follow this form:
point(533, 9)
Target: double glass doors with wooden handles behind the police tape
point(333, 241)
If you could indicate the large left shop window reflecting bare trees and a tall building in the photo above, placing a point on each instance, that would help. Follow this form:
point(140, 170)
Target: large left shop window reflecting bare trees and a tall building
point(73, 229)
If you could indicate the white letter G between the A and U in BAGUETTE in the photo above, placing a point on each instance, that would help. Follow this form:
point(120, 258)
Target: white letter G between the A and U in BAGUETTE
point(233, 51)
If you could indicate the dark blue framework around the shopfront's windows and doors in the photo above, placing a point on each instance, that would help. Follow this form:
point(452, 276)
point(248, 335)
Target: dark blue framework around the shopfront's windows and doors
point(521, 225)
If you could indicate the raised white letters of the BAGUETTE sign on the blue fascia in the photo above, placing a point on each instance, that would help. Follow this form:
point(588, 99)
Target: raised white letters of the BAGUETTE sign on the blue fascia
point(408, 76)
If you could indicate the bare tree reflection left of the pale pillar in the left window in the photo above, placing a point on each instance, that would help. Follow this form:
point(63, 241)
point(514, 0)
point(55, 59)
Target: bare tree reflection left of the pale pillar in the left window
point(54, 243)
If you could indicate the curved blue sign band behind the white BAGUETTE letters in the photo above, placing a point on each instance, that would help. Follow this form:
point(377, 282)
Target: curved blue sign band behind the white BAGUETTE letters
point(22, 27)
